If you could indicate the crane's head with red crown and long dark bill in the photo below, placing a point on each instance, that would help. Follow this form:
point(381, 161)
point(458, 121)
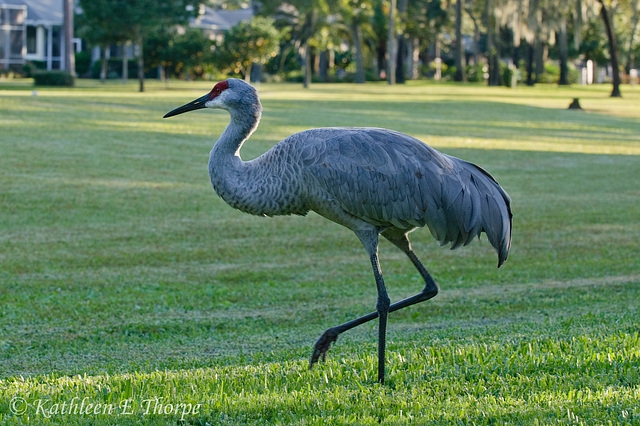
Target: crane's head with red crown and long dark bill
point(233, 95)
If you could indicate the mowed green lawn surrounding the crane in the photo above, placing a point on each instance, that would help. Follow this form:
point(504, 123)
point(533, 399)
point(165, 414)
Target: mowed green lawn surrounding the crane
point(125, 283)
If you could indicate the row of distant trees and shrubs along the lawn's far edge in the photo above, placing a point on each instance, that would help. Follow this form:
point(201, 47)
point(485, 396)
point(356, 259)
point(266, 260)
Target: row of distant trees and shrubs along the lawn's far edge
point(363, 40)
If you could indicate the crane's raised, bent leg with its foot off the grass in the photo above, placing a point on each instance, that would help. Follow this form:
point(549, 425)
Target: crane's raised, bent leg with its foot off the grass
point(430, 290)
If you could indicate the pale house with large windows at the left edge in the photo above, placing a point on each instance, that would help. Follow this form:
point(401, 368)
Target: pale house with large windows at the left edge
point(31, 30)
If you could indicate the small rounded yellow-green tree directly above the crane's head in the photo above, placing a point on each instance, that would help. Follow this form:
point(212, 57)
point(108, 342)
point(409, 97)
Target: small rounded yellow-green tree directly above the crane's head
point(248, 43)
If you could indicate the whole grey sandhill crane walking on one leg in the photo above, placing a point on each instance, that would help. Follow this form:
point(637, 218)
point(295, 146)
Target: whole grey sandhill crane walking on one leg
point(372, 181)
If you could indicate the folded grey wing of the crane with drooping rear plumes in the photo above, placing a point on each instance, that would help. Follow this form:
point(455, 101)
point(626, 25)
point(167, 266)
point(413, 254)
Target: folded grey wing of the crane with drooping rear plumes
point(390, 179)
